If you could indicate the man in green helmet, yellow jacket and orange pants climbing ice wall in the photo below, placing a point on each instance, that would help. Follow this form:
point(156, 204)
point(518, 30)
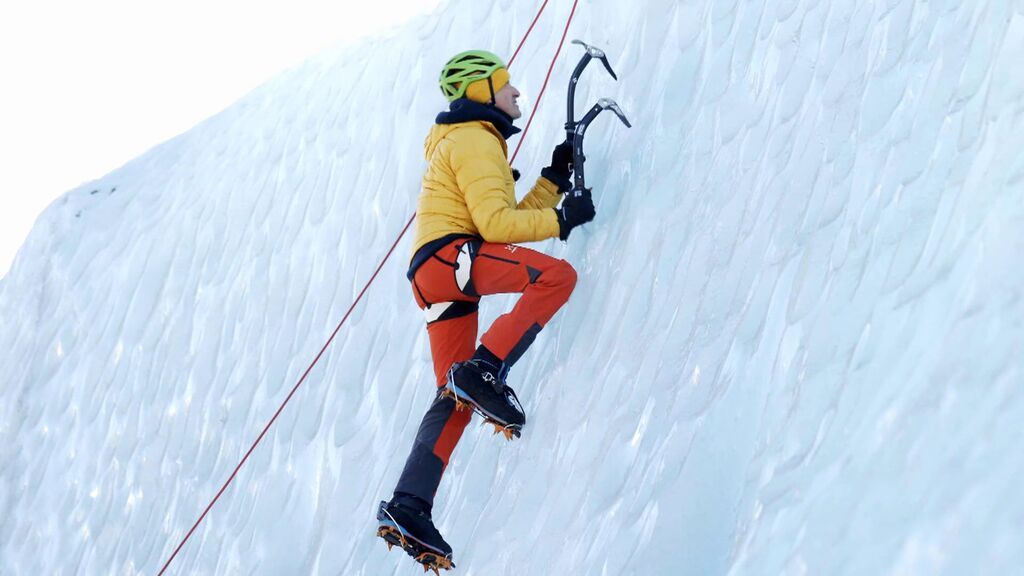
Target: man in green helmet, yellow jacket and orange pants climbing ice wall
point(468, 229)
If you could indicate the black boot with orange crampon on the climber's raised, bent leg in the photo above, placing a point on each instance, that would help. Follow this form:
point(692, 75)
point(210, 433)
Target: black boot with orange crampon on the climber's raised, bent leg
point(481, 384)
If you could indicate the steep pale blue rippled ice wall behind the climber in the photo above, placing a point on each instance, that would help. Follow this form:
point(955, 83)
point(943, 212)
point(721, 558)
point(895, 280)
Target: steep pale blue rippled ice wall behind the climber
point(795, 346)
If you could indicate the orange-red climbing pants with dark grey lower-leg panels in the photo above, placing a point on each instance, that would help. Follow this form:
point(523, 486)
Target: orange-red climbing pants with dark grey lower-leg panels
point(448, 287)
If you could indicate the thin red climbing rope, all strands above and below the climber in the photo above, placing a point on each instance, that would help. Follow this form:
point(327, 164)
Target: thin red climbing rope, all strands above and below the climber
point(360, 298)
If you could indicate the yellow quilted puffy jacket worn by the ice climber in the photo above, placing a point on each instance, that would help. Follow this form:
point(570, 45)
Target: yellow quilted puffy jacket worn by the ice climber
point(468, 189)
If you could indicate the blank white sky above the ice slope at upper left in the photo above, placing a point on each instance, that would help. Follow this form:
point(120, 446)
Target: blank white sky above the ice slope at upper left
point(88, 87)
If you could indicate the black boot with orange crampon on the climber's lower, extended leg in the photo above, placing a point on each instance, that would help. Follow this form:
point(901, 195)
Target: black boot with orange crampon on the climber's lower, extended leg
point(406, 522)
